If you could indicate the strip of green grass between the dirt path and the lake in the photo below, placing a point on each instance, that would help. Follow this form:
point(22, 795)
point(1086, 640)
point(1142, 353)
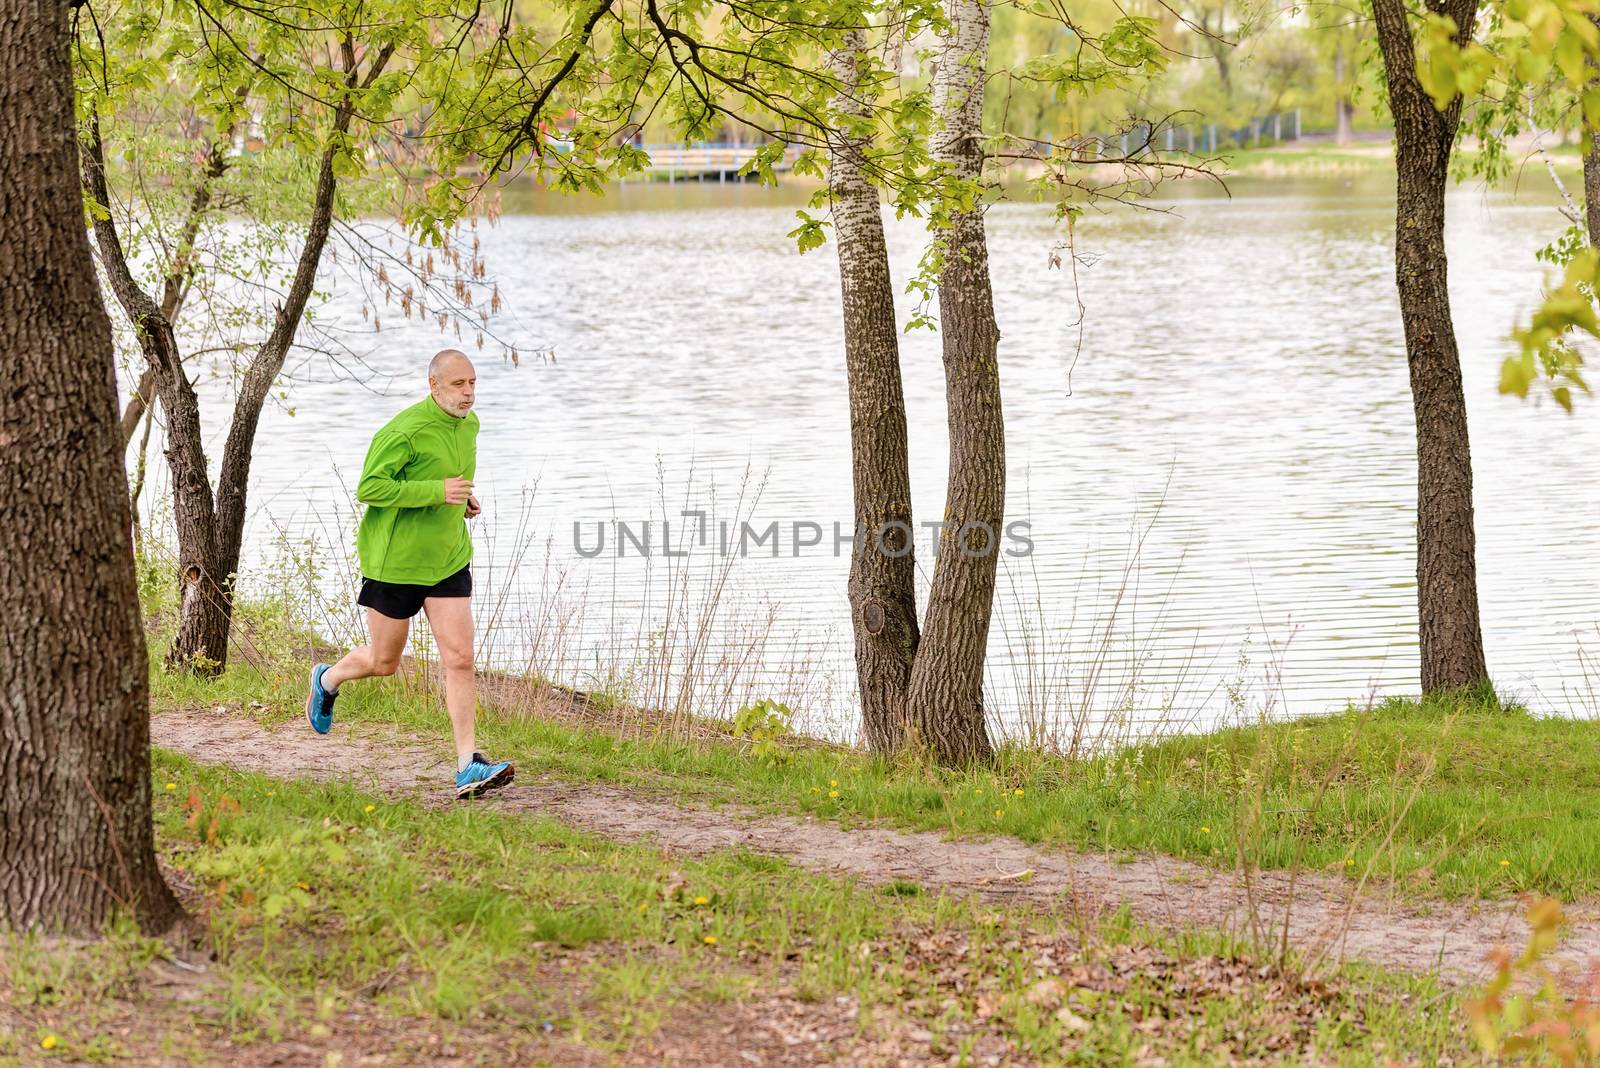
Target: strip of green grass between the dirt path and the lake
point(1458, 799)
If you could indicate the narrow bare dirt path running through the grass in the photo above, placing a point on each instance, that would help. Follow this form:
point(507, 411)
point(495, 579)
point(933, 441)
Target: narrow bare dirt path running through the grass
point(1161, 891)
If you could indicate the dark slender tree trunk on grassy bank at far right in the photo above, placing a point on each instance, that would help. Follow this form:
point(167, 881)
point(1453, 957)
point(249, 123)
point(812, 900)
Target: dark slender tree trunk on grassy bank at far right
point(1452, 639)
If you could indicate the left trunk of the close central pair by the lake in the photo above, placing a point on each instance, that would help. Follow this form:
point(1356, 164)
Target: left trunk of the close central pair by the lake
point(882, 565)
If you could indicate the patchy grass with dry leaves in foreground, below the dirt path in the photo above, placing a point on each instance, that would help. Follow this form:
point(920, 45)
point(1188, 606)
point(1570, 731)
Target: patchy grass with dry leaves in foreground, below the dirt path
point(340, 917)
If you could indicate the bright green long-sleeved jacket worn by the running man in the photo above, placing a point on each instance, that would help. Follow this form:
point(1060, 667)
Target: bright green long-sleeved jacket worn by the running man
point(409, 533)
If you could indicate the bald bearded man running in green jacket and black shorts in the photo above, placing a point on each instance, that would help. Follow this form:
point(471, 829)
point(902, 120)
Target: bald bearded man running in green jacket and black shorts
point(415, 552)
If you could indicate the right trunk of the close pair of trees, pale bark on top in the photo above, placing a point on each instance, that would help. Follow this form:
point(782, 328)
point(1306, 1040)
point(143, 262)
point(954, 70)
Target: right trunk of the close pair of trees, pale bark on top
point(946, 703)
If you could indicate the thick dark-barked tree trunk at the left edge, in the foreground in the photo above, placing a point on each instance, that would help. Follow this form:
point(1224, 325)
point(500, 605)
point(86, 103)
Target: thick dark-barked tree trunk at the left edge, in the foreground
point(76, 839)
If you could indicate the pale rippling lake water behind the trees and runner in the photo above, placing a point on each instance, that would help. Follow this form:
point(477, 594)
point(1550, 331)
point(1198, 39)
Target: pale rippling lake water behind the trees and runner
point(1218, 474)
